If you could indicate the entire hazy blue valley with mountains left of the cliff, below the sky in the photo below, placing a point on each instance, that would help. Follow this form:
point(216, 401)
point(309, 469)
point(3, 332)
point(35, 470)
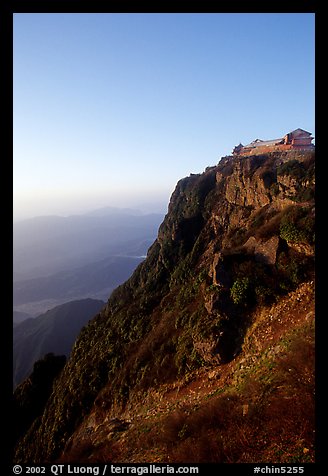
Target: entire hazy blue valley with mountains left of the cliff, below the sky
point(65, 269)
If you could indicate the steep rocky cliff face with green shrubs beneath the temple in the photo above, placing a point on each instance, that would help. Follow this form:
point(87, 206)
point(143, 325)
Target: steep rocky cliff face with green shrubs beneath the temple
point(237, 239)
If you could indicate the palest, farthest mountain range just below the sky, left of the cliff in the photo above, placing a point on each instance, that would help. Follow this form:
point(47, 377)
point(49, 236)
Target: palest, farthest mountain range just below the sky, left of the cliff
point(46, 245)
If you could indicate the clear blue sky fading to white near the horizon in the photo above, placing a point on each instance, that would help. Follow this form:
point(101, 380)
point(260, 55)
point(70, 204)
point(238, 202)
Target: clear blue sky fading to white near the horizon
point(113, 109)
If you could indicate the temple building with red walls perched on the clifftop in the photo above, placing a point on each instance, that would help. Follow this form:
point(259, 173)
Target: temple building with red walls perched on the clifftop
point(297, 139)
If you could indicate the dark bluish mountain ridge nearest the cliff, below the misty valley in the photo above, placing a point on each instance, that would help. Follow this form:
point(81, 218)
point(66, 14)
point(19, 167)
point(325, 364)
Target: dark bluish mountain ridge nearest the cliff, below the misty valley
point(52, 332)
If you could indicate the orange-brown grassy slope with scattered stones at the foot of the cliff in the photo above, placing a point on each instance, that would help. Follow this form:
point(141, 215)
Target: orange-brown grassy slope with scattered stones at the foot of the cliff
point(258, 407)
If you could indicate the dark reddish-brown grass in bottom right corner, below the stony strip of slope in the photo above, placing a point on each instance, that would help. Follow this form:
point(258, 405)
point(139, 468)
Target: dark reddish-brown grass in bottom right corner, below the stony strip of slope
point(276, 425)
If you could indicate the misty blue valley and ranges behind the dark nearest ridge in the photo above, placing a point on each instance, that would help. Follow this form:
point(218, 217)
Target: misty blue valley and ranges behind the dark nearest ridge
point(59, 259)
